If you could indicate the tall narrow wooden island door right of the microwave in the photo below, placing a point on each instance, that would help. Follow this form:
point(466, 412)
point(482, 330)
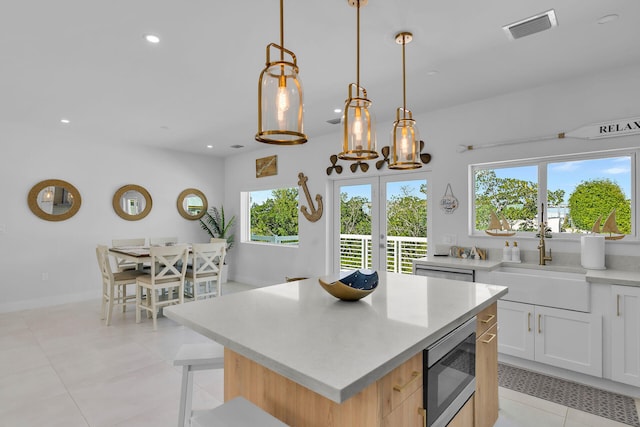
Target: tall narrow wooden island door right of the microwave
point(486, 397)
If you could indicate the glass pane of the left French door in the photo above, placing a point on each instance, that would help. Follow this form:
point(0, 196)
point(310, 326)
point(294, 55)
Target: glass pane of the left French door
point(355, 226)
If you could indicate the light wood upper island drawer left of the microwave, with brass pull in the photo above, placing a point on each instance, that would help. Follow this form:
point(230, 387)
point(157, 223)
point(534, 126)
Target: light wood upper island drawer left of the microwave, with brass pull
point(401, 383)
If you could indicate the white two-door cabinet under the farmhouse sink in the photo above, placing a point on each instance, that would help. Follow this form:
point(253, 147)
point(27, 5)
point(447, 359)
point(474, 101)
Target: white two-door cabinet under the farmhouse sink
point(562, 338)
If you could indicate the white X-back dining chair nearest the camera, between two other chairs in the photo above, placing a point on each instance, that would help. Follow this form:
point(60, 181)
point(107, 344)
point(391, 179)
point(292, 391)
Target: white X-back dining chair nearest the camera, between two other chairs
point(168, 268)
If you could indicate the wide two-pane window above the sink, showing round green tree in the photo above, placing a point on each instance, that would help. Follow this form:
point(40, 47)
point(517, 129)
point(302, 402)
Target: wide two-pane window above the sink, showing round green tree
point(580, 193)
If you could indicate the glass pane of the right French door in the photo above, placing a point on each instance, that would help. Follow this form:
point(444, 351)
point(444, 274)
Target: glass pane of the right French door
point(406, 214)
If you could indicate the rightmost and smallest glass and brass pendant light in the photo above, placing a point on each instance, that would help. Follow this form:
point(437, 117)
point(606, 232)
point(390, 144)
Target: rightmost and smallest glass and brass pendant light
point(405, 137)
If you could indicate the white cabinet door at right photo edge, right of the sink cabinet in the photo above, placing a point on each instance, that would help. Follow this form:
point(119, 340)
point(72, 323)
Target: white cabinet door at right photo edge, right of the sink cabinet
point(625, 335)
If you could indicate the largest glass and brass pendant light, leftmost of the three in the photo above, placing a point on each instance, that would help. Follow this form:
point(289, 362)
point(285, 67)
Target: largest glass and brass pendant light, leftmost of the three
point(280, 97)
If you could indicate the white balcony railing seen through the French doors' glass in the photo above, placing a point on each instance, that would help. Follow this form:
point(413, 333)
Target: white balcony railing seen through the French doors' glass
point(355, 252)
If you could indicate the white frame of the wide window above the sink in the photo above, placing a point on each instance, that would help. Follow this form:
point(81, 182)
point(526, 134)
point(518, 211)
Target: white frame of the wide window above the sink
point(542, 165)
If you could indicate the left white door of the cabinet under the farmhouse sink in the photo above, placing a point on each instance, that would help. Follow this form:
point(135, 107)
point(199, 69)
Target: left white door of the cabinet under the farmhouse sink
point(516, 321)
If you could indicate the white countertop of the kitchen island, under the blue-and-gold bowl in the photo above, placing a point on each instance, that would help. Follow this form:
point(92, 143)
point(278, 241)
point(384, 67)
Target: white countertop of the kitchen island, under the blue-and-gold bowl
point(333, 347)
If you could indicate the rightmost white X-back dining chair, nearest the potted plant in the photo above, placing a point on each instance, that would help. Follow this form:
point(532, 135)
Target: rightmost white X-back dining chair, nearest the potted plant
point(208, 259)
